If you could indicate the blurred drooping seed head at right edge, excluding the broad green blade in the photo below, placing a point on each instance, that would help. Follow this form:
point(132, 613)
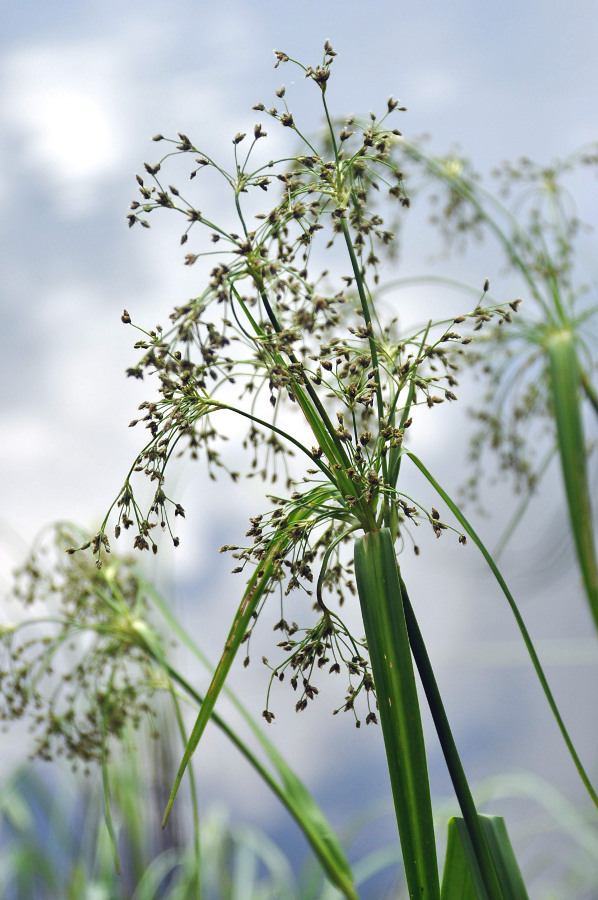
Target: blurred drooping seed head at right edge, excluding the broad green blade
point(532, 216)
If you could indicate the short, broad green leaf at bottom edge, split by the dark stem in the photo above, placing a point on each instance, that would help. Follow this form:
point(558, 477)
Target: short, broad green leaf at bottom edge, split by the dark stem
point(461, 878)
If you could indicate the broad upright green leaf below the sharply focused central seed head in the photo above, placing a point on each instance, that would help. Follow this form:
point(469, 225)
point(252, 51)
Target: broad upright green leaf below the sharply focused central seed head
point(379, 591)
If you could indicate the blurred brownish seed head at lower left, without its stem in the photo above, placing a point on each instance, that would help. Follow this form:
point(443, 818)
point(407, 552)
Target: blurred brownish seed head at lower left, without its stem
point(83, 669)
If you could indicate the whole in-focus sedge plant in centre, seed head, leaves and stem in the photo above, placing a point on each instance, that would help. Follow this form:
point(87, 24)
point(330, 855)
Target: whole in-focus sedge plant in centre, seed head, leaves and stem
point(312, 367)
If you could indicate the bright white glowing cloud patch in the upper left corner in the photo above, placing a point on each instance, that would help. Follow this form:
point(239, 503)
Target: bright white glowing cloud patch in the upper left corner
point(73, 110)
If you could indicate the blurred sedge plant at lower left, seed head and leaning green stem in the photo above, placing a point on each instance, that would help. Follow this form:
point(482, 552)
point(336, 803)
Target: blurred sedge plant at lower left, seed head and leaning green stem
point(87, 663)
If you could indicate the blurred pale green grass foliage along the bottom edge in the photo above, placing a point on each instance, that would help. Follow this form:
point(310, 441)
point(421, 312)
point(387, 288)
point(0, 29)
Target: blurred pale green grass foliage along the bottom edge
point(56, 846)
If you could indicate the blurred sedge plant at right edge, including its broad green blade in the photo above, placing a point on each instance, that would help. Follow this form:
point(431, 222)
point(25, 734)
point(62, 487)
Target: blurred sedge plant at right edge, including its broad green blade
point(539, 373)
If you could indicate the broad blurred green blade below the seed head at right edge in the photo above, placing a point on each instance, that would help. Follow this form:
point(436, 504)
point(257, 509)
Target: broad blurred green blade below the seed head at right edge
point(565, 385)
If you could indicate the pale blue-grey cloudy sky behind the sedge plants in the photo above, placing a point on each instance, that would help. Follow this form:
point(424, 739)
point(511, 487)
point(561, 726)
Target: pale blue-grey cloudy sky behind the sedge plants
point(83, 87)
